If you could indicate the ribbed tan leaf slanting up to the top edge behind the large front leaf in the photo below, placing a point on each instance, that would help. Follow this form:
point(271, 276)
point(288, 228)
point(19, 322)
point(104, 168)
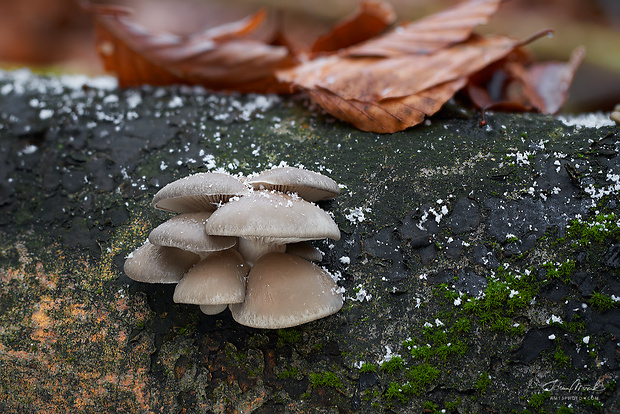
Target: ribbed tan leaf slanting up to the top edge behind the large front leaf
point(429, 34)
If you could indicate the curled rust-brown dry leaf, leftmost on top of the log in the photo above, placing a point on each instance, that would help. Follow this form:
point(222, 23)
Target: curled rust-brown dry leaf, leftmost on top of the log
point(217, 58)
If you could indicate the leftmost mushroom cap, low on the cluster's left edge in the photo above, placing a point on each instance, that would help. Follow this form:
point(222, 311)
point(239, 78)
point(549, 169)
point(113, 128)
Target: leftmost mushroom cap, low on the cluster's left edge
point(158, 264)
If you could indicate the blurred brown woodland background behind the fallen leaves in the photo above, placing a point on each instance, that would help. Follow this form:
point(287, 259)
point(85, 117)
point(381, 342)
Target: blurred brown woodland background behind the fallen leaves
point(56, 36)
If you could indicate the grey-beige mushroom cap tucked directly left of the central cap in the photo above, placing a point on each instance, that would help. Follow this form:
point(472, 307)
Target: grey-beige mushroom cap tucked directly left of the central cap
point(187, 232)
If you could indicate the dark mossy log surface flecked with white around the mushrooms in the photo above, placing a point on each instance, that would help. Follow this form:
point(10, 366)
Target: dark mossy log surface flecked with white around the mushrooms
point(480, 264)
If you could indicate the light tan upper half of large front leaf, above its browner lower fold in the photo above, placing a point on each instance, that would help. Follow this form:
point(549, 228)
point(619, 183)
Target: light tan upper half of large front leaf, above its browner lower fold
point(373, 79)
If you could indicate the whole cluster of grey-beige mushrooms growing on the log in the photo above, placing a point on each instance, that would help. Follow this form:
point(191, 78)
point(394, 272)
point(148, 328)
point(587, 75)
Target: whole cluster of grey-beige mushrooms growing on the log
point(242, 243)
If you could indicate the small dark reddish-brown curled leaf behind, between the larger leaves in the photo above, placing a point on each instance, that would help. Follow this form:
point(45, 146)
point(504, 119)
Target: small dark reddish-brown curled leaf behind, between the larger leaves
point(372, 18)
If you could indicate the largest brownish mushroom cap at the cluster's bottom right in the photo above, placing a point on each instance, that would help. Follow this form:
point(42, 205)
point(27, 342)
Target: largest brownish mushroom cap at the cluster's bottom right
point(284, 290)
